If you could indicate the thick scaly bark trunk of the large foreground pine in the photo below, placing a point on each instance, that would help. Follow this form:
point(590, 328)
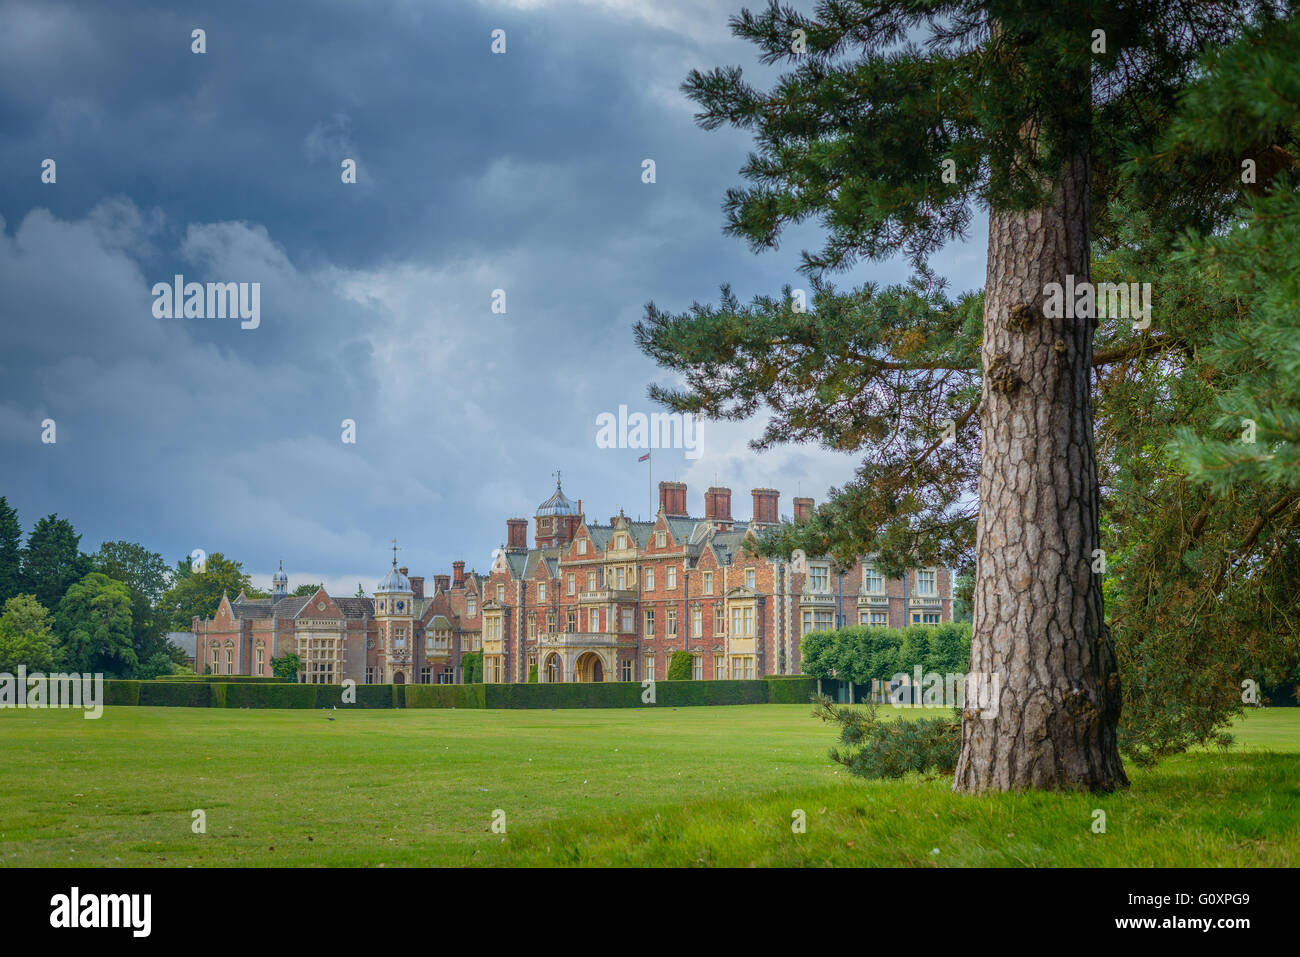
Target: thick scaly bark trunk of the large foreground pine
point(1039, 640)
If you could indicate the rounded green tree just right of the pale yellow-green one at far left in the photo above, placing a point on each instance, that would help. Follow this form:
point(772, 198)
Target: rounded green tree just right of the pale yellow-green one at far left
point(94, 626)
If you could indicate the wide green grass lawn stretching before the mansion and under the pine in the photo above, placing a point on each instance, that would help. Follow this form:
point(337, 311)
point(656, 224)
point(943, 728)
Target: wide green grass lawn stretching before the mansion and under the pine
point(701, 786)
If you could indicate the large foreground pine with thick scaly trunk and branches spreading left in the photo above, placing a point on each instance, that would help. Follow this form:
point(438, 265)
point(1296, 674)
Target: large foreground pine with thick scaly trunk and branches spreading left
point(1028, 110)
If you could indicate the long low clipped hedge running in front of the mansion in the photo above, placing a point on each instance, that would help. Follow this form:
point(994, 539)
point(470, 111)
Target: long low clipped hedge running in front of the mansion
point(281, 695)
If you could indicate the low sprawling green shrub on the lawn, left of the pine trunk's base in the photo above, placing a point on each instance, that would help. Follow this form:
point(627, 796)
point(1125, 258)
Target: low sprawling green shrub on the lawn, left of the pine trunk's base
point(877, 748)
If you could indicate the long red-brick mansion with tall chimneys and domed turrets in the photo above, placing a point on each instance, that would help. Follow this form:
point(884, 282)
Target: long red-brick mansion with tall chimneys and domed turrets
point(590, 601)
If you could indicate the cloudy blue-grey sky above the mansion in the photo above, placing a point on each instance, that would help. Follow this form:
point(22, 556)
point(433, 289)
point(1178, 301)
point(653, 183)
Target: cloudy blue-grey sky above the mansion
point(475, 172)
